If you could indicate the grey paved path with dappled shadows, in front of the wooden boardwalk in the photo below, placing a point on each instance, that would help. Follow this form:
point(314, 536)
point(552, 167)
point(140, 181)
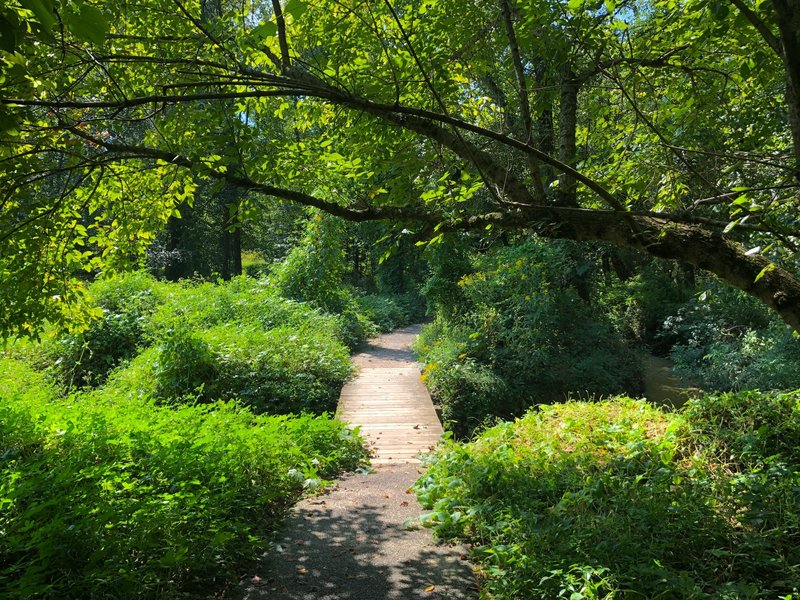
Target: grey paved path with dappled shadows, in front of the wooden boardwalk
point(361, 542)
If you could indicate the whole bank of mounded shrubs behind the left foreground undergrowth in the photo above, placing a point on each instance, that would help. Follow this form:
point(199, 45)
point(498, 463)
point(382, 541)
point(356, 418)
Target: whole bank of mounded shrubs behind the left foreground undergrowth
point(199, 340)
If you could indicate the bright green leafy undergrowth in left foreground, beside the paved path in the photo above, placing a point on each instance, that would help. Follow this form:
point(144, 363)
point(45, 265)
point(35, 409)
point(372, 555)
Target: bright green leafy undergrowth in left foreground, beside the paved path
point(102, 496)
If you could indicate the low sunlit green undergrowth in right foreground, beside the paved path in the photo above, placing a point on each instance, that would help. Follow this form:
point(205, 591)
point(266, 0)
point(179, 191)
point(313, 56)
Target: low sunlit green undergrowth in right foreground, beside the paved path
point(616, 499)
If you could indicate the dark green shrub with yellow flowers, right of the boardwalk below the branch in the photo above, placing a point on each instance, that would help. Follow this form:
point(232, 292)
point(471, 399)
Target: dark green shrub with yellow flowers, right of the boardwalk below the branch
point(525, 336)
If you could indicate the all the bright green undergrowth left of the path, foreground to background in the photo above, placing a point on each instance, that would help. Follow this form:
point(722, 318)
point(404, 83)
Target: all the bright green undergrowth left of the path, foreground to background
point(153, 454)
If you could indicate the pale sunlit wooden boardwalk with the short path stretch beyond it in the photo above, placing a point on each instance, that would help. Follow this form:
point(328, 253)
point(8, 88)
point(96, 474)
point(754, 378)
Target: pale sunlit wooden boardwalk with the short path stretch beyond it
point(388, 400)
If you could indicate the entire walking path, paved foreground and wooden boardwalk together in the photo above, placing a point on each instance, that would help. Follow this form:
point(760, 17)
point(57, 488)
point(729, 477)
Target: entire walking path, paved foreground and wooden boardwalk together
point(361, 541)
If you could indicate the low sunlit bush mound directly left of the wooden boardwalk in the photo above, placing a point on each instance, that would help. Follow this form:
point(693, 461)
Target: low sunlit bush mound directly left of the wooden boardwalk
point(282, 370)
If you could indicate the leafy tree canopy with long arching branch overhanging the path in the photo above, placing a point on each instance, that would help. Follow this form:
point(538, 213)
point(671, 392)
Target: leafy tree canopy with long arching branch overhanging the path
point(667, 126)
